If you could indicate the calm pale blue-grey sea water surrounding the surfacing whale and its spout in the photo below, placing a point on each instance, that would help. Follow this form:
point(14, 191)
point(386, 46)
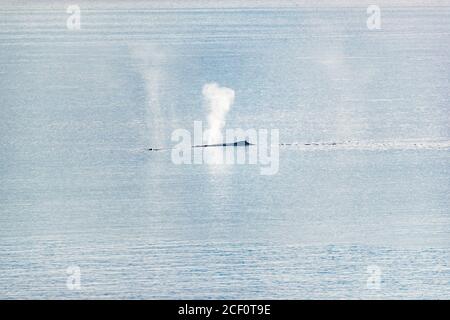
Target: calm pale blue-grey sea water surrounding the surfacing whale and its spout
point(78, 188)
